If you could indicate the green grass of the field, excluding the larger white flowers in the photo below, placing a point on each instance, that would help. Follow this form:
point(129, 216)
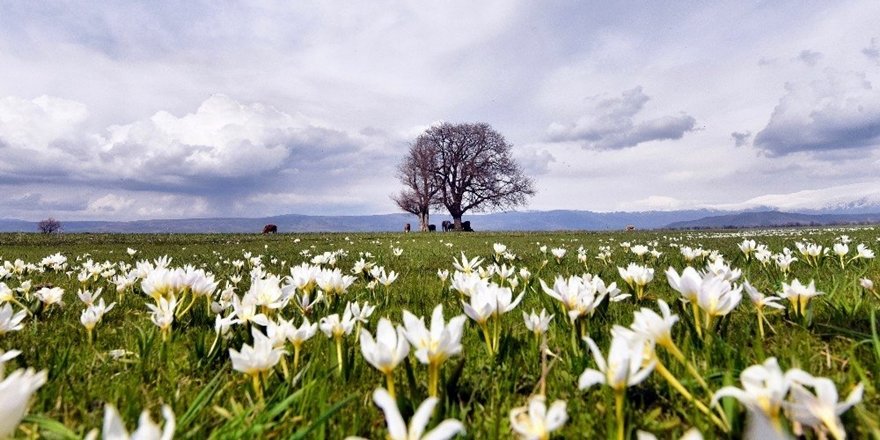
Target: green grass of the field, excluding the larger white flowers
point(130, 365)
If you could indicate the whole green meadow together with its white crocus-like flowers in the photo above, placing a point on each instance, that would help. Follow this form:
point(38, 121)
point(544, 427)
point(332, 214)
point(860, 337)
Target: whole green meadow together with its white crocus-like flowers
point(208, 330)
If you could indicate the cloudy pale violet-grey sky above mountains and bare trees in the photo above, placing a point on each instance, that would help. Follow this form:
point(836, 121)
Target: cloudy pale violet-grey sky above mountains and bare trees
point(127, 110)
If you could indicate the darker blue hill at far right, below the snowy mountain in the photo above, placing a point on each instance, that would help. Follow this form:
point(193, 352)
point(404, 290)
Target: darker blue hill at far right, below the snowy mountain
point(773, 218)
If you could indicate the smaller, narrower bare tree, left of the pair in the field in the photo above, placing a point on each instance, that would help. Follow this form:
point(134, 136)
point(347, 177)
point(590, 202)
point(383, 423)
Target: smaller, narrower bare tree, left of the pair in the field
point(416, 173)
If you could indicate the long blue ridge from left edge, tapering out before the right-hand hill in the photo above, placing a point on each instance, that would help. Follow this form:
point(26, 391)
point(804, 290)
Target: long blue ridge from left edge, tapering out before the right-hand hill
point(504, 221)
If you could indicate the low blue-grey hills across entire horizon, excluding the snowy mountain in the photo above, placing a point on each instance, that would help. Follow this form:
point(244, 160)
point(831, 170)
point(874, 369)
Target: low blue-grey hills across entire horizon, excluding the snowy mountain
point(504, 221)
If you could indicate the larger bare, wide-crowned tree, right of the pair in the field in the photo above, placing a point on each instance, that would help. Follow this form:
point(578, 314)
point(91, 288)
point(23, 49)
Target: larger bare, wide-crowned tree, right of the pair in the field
point(472, 169)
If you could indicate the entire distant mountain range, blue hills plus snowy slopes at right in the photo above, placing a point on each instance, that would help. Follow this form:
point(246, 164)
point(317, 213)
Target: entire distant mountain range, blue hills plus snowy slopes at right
point(847, 204)
